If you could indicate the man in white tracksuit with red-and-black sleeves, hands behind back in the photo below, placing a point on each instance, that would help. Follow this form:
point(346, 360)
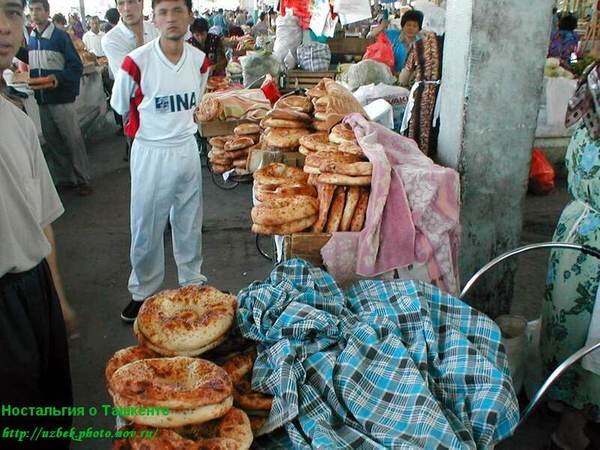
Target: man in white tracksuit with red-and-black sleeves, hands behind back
point(160, 85)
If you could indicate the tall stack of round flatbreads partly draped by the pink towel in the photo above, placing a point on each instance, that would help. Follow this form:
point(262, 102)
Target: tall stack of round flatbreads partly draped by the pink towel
point(331, 192)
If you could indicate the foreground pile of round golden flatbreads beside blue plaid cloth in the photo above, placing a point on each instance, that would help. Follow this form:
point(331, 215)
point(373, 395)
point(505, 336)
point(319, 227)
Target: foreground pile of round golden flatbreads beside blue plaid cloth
point(188, 381)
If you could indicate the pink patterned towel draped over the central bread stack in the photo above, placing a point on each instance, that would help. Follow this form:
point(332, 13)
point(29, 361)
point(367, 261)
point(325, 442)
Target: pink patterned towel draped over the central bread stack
point(412, 218)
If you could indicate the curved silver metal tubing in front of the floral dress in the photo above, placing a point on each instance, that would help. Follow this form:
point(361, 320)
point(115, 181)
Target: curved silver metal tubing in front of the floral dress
point(567, 363)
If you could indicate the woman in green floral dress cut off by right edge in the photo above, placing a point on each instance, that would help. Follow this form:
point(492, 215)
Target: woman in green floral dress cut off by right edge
point(573, 278)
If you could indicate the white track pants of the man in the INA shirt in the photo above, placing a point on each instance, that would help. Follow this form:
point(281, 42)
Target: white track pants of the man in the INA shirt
point(166, 183)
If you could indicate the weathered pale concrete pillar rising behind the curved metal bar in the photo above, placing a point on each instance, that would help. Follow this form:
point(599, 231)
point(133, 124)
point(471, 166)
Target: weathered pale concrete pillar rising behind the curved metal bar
point(494, 53)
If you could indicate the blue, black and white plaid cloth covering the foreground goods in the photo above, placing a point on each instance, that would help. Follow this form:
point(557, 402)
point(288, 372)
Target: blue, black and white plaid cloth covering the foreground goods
point(383, 364)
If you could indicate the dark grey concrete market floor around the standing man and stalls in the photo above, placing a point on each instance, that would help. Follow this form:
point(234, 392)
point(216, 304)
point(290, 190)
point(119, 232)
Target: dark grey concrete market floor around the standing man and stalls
point(93, 246)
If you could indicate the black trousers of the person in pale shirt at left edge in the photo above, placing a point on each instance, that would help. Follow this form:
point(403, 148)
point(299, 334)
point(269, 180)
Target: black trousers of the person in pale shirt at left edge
point(34, 357)
